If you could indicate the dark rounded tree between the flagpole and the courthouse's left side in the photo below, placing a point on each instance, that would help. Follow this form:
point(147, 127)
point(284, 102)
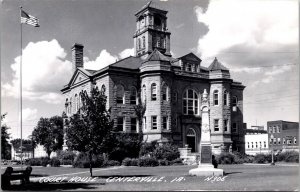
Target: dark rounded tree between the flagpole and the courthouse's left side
point(49, 133)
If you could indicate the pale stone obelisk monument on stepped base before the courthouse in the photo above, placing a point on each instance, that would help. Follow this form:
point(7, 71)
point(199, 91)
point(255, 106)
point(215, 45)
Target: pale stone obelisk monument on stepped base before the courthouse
point(205, 167)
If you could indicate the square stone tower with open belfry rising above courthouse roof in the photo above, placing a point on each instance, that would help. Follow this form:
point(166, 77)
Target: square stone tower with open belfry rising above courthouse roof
point(151, 31)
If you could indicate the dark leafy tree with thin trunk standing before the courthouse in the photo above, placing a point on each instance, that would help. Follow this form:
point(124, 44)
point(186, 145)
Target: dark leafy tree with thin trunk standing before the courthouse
point(91, 127)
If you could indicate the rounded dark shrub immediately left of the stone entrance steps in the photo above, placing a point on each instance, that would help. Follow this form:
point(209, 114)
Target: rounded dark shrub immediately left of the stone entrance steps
point(166, 151)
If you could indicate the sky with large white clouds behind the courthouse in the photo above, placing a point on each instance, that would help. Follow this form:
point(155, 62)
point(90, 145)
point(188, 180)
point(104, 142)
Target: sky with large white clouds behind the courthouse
point(256, 39)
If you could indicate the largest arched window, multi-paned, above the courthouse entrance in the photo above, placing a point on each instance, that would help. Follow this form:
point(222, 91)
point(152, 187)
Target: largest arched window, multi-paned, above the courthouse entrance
point(190, 102)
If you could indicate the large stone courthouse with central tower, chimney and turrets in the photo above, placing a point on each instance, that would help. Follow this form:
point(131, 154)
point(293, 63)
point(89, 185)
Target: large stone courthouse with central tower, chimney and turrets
point(172, 89)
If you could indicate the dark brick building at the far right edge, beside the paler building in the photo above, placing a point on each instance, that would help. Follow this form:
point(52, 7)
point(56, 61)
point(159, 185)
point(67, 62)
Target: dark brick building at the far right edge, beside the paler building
point(285, 135)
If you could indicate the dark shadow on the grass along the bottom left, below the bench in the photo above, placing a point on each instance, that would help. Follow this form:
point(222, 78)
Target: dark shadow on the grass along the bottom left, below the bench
point(36, 186)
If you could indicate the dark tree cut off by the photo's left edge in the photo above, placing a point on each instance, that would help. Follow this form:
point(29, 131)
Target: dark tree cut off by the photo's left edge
point(5, 147)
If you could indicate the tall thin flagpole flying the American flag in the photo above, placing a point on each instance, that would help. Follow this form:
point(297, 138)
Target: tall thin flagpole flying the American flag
point(21, 93)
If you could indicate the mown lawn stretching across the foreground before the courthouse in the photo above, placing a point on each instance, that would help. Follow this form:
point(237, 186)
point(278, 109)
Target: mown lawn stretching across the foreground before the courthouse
point(237, 177)
